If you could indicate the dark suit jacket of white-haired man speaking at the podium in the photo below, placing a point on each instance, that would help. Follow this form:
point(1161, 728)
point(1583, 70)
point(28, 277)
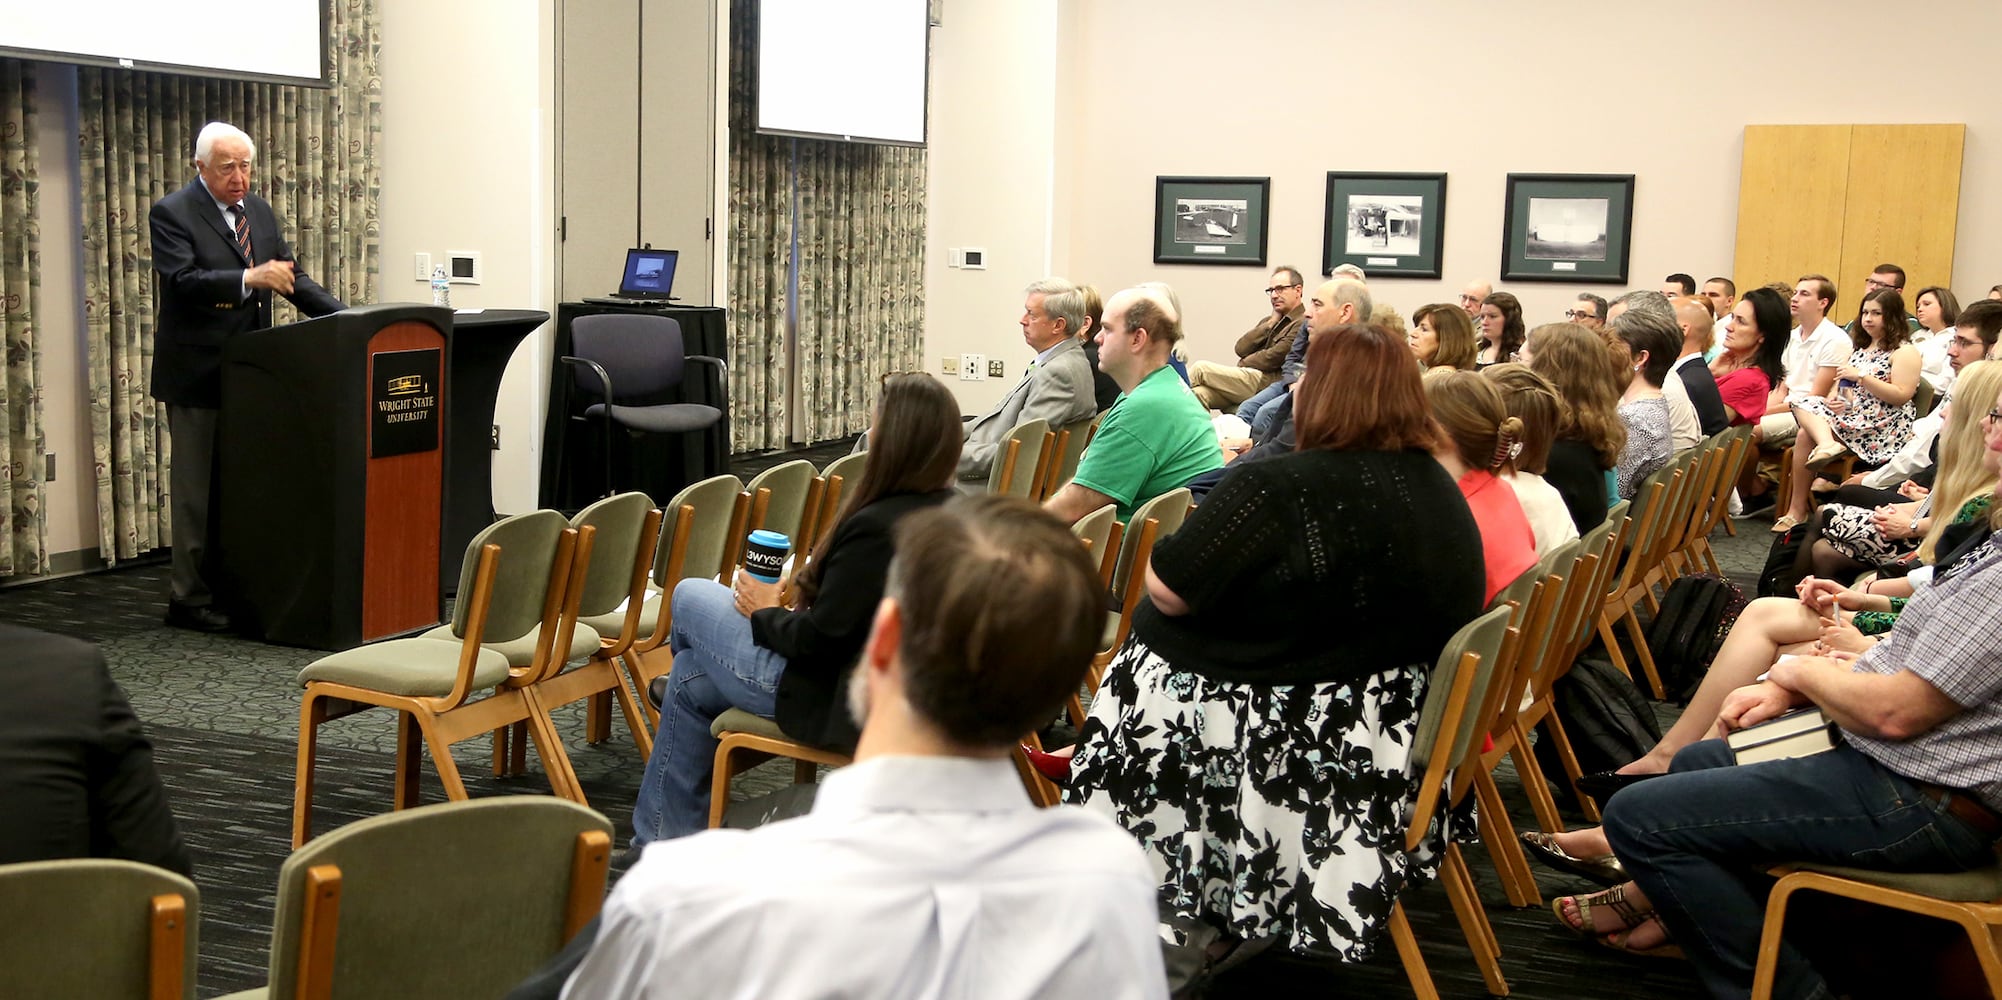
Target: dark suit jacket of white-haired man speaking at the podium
point(199, 291)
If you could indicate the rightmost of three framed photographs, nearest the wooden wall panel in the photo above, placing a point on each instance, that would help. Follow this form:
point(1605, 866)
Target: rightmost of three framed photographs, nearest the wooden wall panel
point(1569, 229)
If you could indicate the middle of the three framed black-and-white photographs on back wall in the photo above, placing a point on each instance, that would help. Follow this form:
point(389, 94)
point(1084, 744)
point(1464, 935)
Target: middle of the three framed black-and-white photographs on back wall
point(1384, 223)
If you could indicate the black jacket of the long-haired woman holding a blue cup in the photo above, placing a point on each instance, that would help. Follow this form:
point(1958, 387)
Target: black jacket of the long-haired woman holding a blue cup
point(824, 643)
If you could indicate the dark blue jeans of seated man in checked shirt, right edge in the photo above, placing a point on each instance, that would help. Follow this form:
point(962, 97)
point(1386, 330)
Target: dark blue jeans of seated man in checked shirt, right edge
point(1699, 841)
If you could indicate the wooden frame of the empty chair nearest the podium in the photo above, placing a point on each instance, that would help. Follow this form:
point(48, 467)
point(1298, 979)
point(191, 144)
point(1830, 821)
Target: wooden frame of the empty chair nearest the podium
point(441, 723)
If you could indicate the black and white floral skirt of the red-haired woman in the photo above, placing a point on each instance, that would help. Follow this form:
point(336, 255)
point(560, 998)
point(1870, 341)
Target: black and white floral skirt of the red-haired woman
point(1266, 811)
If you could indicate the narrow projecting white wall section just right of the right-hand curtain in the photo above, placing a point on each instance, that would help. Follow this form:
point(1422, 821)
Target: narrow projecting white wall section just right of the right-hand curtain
point(994, 101)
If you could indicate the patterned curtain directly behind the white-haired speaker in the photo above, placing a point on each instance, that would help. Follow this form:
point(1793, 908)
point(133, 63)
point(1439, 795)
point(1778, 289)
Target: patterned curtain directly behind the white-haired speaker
point(315, 165)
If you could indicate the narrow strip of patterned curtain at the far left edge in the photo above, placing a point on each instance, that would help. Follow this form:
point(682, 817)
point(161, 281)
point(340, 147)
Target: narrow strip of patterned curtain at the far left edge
point(21, 289)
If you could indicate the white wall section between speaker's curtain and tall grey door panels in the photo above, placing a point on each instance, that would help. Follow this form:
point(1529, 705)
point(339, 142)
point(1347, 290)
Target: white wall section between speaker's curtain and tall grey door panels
point(469, 165)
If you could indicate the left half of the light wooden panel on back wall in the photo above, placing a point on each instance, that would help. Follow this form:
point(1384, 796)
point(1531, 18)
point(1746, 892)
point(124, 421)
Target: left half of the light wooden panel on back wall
point(1793, 193)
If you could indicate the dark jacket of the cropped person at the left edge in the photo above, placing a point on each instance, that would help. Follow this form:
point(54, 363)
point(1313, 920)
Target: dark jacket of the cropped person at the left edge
point(77, 775)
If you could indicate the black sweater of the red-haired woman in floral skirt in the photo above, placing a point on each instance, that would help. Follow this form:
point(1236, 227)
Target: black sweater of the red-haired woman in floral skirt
point(1318, 567)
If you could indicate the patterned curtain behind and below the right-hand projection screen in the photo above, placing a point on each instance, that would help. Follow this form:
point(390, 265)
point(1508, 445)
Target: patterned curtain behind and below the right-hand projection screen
point(860, 233)
